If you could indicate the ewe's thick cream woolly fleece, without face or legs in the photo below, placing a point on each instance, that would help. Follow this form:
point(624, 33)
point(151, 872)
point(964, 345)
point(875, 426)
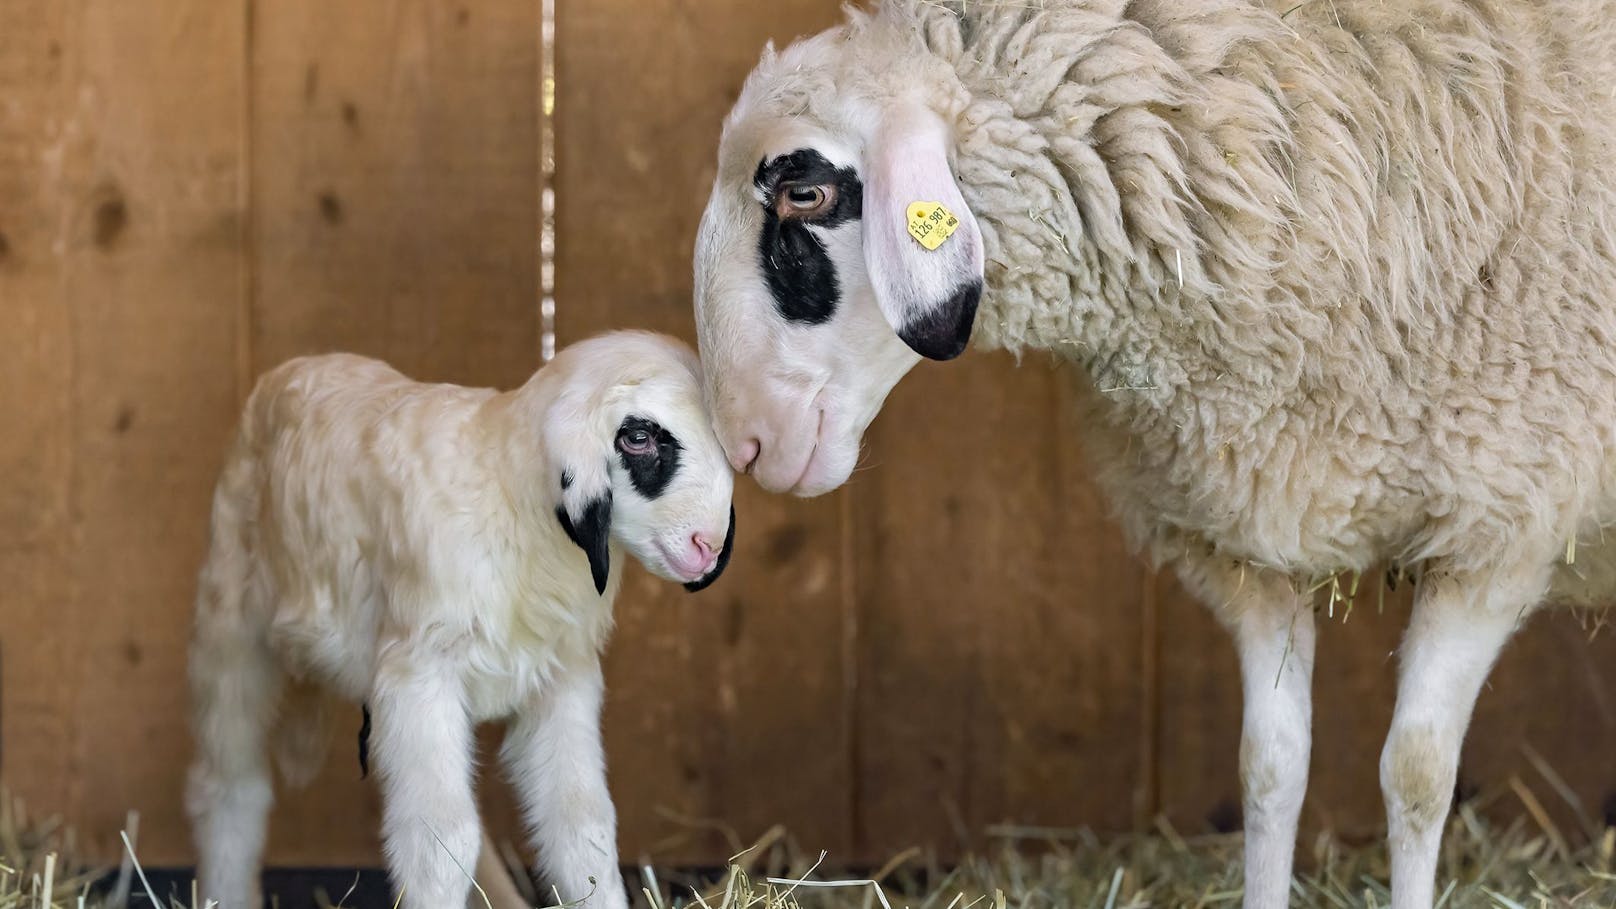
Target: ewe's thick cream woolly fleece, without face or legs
point(1340, 274)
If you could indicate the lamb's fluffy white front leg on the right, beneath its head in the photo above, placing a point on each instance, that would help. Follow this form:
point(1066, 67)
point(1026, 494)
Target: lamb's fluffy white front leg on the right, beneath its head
point(555, 759)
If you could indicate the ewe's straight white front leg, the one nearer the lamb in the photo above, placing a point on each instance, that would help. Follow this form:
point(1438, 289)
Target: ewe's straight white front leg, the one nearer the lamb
point(1274, 635)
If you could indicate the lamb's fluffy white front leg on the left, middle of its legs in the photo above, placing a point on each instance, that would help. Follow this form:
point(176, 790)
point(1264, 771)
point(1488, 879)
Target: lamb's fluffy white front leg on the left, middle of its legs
point(423, 746)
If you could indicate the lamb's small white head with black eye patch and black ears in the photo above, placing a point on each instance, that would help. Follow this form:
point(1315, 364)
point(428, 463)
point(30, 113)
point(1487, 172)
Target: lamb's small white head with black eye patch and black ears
point(636, 459)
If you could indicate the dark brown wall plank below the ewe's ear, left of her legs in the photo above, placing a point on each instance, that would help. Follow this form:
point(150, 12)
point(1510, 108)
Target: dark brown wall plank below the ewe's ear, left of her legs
point(1001, 664)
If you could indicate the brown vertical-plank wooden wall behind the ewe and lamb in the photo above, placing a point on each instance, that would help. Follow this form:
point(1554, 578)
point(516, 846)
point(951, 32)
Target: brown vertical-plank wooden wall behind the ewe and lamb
point(193, 192)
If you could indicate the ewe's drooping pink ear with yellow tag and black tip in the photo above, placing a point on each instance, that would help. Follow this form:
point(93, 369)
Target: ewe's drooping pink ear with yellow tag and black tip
point(922, 245)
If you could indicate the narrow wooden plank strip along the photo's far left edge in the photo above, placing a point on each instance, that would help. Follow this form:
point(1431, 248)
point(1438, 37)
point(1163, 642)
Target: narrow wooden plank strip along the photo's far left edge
point(36, 400)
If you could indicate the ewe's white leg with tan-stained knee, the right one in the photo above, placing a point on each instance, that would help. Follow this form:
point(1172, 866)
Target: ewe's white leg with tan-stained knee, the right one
point(1457, 632)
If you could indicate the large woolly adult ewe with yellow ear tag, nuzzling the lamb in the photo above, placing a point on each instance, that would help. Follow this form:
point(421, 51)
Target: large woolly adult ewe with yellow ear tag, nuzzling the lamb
point(1339, 277)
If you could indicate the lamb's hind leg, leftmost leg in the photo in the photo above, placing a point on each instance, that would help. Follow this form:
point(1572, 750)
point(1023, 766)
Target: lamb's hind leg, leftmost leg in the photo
point(235, 687)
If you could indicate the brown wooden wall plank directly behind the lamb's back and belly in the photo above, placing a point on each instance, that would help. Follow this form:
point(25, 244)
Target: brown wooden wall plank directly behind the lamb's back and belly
point(395, 203)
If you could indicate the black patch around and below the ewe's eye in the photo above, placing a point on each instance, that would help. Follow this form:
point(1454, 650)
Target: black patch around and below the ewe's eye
point(794, 261)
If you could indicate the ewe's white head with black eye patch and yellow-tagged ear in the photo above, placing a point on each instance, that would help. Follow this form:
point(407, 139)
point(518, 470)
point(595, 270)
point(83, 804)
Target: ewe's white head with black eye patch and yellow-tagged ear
point(835, 253)
